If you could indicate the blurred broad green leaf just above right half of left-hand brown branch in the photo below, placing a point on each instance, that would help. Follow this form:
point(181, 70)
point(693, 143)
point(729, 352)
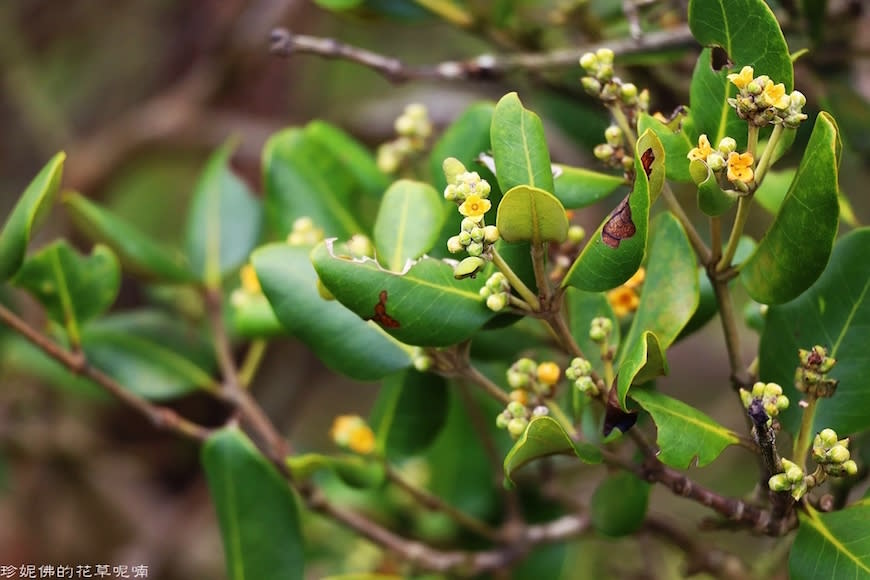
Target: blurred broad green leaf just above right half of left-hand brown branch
point(150, 353)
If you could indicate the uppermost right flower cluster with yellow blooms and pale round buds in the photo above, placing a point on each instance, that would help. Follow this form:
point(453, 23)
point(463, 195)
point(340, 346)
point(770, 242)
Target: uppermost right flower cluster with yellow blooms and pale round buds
point(762, 102)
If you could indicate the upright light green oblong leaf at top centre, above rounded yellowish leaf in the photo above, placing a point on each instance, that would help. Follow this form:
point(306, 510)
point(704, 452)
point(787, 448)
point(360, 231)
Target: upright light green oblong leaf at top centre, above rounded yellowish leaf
point(519, 146)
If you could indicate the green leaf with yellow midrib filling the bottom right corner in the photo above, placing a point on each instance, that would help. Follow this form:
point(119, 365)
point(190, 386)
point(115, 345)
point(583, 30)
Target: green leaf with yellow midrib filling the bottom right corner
point(831, 545)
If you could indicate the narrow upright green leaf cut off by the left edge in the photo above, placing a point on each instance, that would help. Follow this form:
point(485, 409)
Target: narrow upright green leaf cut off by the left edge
point(26, 216)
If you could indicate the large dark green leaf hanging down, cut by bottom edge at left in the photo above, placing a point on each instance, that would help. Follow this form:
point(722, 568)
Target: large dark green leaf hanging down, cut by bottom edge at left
point(256, 510)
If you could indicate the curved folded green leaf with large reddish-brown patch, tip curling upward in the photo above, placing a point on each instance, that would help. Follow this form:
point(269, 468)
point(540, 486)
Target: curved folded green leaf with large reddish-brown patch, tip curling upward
point(614, 252)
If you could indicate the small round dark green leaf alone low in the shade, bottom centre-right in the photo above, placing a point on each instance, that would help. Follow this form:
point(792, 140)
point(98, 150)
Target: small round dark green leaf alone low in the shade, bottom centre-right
point(618, 506)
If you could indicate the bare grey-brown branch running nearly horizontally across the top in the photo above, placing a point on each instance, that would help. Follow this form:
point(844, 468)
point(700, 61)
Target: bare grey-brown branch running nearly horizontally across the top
point(483, 67)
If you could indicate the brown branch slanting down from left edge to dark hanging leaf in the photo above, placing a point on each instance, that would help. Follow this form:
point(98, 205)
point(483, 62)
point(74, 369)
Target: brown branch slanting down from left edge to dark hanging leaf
point(160, 417)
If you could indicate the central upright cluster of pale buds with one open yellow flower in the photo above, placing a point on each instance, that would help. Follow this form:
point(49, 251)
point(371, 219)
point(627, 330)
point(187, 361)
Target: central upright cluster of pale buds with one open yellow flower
point(470, 192)
